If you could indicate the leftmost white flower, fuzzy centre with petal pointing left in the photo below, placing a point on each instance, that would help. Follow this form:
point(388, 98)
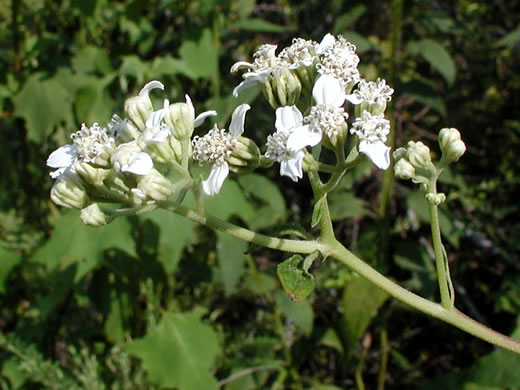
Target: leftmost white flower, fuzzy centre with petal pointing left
point(88, 144)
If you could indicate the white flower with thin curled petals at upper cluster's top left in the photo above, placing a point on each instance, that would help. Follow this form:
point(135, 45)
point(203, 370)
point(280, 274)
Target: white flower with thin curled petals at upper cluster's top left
point(265, 63)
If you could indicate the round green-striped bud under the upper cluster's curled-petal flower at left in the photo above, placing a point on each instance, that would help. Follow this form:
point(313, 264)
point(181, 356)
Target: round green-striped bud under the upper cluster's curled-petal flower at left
point(282, 88)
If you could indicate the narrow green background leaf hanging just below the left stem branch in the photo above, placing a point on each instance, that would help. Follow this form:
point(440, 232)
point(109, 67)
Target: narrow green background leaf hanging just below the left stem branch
point(231, 258)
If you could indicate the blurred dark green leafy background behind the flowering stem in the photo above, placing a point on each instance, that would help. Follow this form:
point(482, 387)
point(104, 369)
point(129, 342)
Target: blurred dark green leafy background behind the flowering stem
point(157, 302)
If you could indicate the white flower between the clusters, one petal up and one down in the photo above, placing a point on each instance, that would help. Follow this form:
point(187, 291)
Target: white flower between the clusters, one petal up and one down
point(216, 146)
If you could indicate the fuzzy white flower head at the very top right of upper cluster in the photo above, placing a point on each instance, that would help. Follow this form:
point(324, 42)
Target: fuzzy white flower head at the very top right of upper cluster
point(338, 58)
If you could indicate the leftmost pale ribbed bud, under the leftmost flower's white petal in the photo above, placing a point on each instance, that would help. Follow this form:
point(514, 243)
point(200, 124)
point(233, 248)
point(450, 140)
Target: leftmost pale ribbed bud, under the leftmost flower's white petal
point(68, 191)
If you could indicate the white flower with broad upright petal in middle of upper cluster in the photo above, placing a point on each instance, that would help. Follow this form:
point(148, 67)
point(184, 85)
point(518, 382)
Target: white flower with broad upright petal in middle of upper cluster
point(326, 117)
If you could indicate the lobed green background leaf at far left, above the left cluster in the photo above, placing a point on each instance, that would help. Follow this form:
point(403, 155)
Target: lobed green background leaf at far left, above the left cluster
point(43, 103)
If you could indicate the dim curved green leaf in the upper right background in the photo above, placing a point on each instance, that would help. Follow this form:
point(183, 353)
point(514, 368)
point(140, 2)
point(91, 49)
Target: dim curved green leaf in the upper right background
point(436, 56)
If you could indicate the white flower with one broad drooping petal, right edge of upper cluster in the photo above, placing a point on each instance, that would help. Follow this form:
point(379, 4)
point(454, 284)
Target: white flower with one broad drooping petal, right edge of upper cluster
point(372, 131)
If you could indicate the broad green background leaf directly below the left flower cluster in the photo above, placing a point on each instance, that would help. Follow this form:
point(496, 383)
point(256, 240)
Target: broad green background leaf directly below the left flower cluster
point(73, 242)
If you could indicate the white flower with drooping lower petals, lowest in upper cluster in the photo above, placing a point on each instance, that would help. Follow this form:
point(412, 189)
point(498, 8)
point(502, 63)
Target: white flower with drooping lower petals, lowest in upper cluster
point(288, 120)
